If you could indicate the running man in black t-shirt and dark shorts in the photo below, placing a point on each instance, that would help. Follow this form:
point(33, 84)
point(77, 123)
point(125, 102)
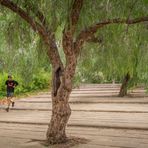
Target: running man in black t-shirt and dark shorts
point(11, 84)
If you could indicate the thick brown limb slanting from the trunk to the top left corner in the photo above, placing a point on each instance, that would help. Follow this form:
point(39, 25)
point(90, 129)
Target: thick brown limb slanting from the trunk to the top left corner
point(47, 35)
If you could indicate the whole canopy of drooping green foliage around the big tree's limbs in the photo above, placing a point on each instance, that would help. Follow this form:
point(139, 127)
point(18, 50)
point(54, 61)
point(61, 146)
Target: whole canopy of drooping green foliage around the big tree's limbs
point(123, 48)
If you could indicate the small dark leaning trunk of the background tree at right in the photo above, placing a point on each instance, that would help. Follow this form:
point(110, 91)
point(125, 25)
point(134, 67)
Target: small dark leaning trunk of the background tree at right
point(123, 89)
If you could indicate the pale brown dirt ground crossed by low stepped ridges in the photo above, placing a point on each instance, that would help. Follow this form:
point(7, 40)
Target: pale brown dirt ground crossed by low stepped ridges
point(97, 115)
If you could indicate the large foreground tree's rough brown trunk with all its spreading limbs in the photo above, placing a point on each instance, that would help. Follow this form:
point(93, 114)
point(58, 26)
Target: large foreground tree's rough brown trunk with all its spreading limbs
point(73, 39)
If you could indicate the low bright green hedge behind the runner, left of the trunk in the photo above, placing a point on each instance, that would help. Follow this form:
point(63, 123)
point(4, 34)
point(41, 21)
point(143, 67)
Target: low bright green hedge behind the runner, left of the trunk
point(40, 81)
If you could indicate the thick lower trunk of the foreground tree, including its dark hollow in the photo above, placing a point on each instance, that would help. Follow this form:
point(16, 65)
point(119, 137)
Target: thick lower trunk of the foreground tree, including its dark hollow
point(62, 87)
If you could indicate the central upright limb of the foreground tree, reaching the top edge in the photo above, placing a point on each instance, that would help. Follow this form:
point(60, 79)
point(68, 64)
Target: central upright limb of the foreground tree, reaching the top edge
point(68, 43)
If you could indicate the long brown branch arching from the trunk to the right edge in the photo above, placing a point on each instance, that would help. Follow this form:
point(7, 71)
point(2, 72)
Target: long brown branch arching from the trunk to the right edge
point(87, 33)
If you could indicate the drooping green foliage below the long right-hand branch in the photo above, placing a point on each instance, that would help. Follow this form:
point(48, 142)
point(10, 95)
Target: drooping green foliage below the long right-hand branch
point(123, 49)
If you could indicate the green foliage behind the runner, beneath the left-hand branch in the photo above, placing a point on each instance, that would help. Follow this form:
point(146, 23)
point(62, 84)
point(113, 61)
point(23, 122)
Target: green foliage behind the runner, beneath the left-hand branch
point(23, 55)
